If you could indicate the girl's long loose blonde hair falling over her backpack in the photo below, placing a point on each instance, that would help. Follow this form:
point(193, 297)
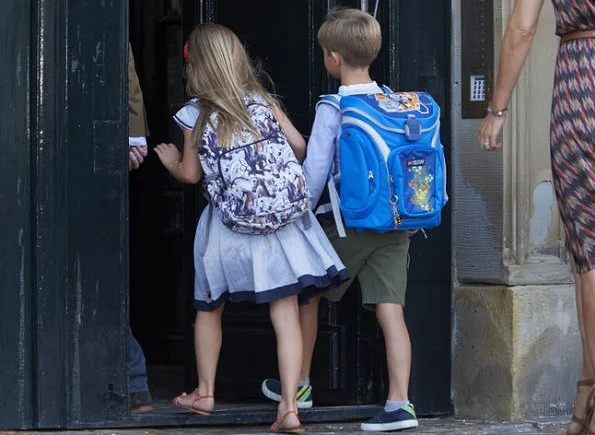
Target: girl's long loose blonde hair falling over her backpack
point(220, 74)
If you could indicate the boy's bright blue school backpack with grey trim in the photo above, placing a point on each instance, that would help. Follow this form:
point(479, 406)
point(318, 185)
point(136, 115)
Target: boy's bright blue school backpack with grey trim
point(393, 172)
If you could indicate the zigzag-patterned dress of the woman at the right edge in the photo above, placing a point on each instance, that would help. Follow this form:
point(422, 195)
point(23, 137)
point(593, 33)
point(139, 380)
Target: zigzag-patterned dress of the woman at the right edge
point(573, 131)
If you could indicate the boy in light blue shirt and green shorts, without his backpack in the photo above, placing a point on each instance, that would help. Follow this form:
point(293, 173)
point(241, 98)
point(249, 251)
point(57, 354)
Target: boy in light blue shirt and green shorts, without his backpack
point(351, 41)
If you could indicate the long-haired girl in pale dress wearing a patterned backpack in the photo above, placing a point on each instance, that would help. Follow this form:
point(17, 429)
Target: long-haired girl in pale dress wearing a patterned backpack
point(257, 240)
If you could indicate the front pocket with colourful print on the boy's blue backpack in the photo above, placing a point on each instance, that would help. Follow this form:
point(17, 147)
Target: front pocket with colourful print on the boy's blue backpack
point(415, 175)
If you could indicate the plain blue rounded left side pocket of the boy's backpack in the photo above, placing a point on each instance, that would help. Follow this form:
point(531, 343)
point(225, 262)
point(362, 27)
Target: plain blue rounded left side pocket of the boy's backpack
point(359, 188)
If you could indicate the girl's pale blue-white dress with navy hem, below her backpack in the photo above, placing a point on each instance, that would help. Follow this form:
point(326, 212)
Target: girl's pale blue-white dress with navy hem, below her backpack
point(297, 259)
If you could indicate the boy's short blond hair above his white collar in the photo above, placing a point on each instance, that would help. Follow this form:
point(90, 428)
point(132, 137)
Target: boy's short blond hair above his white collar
point(352, 33)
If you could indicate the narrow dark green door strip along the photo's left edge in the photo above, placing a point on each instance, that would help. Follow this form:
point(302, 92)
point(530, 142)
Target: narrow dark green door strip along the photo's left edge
point(16, 310)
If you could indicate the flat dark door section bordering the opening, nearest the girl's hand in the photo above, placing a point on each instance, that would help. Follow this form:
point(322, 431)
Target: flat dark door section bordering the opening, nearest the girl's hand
point(97, 211)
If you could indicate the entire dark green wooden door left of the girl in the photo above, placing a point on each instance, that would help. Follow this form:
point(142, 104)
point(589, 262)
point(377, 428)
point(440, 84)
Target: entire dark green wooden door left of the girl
point(63, 171)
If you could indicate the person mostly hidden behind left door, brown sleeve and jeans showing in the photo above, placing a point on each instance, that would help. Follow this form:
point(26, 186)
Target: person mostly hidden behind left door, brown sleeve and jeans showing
point(138, 131)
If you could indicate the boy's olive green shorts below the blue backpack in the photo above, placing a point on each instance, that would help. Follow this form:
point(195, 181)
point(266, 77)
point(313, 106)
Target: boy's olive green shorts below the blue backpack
point(378, 260)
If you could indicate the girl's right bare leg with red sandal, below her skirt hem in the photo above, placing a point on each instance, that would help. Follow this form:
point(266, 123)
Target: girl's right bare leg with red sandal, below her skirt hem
point(285, 318)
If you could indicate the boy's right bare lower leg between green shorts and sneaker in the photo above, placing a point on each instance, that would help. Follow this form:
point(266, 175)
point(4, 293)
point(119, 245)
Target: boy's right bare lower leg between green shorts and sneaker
point(398, 349)
